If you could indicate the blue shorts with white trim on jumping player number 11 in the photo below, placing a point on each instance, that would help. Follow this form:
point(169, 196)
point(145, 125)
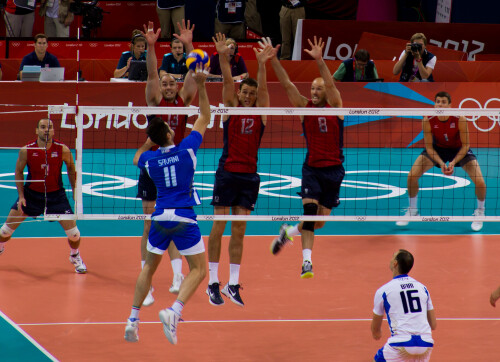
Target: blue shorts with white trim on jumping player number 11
point(177, 225)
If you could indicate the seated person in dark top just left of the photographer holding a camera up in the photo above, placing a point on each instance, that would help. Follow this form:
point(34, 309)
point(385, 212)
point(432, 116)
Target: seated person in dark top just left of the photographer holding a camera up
point(357, 69)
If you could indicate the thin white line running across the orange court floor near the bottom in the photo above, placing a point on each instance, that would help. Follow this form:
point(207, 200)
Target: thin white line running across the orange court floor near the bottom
point(257, 321)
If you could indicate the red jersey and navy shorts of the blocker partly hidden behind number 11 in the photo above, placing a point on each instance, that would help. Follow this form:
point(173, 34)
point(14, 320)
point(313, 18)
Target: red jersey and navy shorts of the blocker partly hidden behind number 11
point(146, 189)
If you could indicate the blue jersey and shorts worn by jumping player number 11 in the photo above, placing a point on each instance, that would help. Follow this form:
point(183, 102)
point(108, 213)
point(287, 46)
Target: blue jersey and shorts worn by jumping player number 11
point(172, 171)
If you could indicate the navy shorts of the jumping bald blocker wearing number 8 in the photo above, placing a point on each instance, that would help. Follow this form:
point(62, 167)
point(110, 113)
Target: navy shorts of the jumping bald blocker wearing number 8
point(322, 184)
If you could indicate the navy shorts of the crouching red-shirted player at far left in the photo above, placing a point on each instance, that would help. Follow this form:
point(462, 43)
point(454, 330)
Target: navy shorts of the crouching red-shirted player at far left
point(57, 202)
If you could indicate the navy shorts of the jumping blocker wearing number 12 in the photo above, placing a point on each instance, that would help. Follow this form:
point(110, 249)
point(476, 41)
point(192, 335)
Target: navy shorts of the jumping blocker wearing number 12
point(236, 189)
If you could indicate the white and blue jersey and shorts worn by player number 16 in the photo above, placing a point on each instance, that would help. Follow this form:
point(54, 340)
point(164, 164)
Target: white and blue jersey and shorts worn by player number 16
point(405, 301)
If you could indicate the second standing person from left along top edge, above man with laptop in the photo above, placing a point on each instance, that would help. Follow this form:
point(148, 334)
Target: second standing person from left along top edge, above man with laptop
point(58, 18)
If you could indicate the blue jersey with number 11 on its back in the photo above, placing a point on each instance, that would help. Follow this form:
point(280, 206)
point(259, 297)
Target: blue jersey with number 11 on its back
point(172, 171)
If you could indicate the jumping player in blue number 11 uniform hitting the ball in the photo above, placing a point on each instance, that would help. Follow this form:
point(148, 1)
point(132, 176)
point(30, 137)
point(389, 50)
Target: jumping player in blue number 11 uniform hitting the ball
point(172, 168)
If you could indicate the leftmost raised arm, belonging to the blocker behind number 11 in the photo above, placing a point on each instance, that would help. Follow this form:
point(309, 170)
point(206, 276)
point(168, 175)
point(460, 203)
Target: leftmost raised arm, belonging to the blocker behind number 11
point(153, 93)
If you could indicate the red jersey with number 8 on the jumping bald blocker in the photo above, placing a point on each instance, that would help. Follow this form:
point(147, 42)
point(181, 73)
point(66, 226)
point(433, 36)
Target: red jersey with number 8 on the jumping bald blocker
point(324, 139)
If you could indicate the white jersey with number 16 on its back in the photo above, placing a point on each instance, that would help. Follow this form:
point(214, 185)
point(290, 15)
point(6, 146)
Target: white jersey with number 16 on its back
point(406, 302)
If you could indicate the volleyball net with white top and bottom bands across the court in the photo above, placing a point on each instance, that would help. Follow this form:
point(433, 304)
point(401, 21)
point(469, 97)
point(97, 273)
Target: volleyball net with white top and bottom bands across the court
point(380, 147)
